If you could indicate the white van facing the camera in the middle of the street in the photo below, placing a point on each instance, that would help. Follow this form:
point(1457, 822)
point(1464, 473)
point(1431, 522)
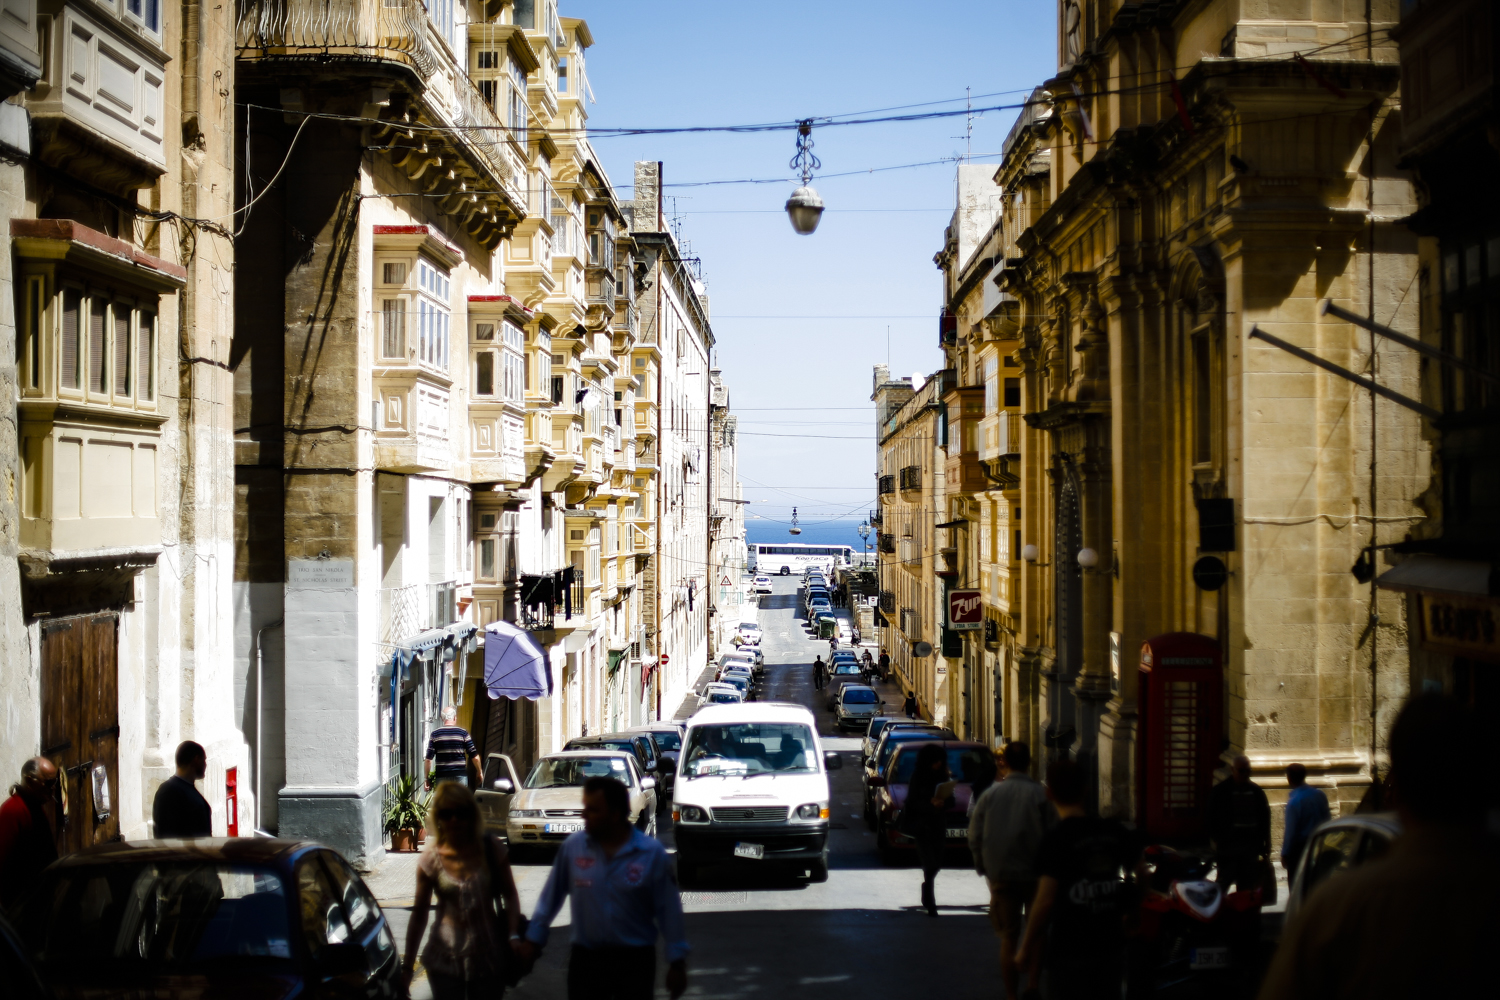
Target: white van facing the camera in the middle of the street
point(722, 818)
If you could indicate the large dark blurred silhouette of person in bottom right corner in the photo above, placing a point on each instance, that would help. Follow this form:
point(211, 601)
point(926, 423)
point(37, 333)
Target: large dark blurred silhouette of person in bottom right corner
point(1423, 920)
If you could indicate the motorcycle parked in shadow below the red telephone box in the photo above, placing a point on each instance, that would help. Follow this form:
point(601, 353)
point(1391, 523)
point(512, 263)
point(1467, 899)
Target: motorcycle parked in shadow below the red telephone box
point(1193, 939)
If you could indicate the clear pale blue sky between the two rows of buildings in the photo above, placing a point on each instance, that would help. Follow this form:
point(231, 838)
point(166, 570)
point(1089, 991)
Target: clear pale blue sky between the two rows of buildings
point(800, 322)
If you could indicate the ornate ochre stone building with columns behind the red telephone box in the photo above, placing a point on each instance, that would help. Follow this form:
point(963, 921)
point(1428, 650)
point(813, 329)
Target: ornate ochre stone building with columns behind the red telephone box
point(1192, 173)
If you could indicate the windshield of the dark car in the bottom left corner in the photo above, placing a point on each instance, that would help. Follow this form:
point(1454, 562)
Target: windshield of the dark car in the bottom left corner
point(160, 915)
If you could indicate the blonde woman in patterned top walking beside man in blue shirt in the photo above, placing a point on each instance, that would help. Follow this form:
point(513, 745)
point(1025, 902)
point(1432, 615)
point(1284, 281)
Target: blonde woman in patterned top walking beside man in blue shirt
point(469, 956)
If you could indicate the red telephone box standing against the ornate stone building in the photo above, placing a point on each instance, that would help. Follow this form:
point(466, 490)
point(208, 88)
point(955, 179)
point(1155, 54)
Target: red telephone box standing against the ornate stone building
point(1181, 734)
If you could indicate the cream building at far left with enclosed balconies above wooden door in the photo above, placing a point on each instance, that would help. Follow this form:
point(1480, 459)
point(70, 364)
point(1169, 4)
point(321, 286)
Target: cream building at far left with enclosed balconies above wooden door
point(116, 323)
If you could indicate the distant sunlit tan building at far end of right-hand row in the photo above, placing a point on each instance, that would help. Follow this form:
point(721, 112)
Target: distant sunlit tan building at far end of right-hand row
point(910, 484)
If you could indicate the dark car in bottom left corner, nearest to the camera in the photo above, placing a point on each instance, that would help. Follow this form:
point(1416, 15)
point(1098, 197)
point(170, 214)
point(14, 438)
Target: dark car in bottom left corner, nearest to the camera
point(211, 918)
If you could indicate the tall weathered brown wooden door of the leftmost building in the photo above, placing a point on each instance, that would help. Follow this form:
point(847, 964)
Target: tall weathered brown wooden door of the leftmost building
point(82, 725)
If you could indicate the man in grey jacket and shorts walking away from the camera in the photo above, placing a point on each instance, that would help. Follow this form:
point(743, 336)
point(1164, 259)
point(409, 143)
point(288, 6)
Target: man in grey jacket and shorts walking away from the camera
point(1007, 825)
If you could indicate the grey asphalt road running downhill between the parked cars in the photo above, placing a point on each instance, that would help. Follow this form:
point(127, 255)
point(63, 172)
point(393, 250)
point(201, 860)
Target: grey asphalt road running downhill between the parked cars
point(767, 935)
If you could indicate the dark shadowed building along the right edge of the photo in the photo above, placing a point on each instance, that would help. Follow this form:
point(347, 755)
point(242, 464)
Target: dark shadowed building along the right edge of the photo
point(1447, 569)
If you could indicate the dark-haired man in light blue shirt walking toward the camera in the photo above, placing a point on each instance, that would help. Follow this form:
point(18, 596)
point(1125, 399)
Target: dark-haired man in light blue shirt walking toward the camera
point(623, 896)
